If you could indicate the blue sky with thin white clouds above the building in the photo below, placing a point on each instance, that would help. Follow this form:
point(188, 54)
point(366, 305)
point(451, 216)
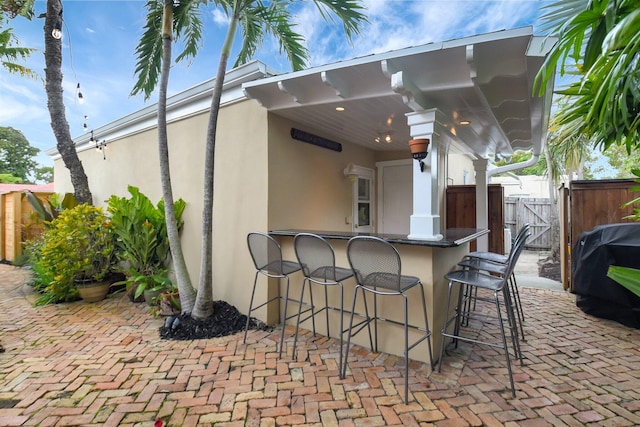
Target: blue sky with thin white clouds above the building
point(100, 38)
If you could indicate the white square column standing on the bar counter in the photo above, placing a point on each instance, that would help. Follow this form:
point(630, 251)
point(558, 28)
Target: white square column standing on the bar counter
point(427, 183)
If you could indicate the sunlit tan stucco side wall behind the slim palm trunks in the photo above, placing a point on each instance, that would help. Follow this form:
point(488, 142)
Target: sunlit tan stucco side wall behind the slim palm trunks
point(240, 192)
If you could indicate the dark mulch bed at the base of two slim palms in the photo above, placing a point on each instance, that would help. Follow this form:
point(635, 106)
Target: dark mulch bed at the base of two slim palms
point(226, 320)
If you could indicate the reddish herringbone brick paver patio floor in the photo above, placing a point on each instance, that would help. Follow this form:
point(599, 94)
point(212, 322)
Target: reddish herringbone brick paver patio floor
point(103, 364)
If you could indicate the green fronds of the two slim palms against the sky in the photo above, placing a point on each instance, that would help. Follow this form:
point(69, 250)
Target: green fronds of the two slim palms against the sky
point(257, 19)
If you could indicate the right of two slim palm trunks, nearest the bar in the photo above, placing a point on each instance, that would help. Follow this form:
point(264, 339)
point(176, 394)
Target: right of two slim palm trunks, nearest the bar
point(204, 298)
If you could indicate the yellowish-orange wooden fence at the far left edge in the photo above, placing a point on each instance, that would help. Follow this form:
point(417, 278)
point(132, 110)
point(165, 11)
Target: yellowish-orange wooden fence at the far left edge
point(17, 224)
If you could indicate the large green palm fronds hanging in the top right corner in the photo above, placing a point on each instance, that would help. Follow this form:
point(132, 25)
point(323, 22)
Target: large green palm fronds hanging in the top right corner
point(598, 40)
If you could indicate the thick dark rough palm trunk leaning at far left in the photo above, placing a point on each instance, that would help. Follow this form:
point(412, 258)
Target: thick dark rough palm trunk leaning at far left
point(55, 104)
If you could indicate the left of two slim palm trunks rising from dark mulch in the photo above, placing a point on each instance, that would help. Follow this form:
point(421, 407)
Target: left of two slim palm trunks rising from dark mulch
point(185, 289)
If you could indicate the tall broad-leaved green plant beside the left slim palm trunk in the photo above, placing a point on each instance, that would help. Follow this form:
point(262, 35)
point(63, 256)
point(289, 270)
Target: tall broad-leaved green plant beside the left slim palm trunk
point(142, 241)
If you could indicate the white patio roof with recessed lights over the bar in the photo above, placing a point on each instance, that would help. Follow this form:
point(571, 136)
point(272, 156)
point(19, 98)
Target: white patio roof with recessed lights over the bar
point(482, 84)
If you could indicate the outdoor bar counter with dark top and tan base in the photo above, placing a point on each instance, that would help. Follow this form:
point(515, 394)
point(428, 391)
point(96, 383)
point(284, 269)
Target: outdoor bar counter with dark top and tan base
point(429, 260)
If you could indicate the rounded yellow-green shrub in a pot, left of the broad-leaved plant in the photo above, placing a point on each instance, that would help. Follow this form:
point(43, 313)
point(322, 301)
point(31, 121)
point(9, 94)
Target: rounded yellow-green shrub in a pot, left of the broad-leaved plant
point(77, 245)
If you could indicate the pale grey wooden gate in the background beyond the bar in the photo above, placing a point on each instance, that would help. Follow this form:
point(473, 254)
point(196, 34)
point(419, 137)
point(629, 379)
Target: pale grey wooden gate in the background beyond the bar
point(537, 212)
